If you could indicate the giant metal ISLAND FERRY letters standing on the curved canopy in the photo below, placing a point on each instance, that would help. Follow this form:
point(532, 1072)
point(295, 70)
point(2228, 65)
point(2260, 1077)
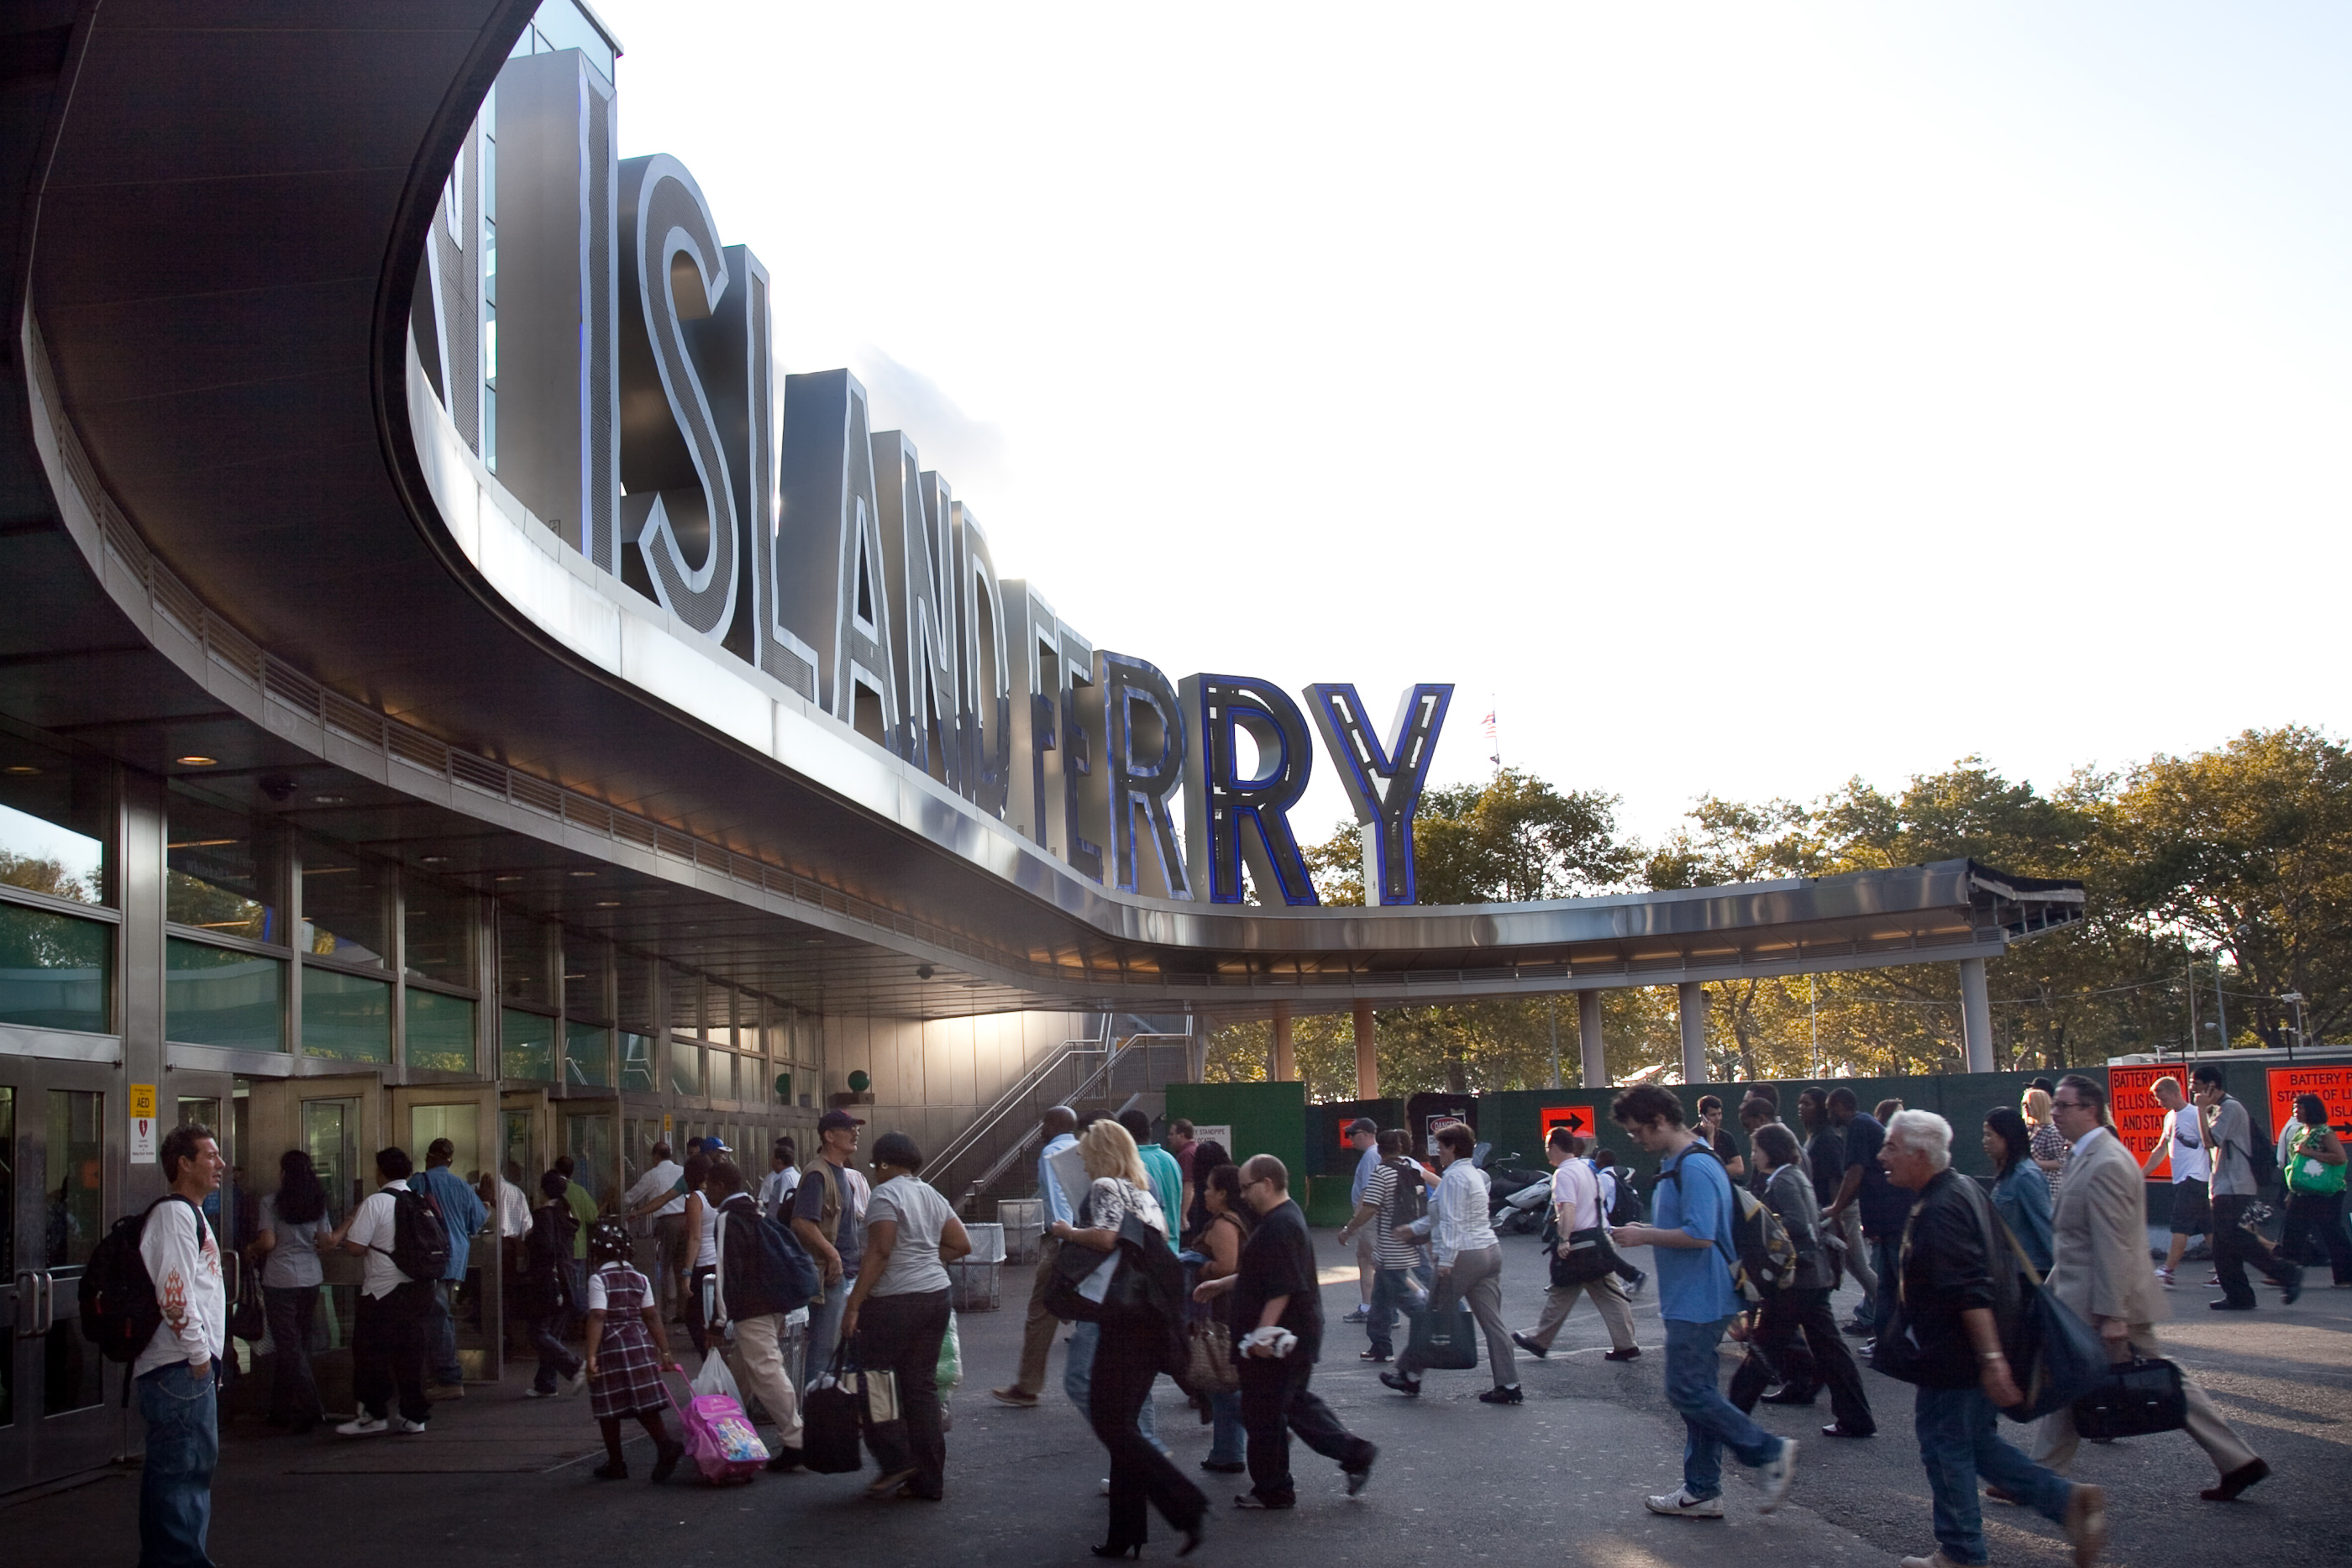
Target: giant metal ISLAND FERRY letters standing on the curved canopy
point(610, 361)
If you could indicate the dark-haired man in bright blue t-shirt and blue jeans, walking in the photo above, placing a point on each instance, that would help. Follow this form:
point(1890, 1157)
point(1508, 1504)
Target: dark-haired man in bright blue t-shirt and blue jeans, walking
point(1692, 1228)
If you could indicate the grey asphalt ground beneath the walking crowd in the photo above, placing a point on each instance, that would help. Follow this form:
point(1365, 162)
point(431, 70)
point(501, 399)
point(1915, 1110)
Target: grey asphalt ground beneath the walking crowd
point(505, 1480)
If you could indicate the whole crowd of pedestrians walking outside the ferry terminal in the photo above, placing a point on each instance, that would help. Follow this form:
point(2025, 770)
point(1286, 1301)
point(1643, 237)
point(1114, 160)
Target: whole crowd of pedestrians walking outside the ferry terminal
point(1149, 1245)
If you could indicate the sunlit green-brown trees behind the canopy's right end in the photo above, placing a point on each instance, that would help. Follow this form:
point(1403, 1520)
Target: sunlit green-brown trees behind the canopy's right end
point(2224, 871)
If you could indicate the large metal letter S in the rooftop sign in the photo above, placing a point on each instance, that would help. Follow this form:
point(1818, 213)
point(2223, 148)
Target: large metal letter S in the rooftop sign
point(679, 514)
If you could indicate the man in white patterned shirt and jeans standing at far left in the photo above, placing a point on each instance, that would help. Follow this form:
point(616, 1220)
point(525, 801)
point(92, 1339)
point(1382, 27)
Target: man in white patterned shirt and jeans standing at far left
point(175, 1372)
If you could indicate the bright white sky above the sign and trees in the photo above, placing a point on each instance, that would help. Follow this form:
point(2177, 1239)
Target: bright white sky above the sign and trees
point(1742, 396)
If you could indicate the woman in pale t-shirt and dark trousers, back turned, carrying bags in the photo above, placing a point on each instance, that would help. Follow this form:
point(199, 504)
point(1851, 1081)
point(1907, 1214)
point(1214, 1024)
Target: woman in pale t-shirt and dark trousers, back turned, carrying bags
point(900, 1313)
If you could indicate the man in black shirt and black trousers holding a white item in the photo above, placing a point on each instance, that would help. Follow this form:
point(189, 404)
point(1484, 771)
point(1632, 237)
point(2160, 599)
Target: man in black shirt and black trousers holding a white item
point(1276, 1289)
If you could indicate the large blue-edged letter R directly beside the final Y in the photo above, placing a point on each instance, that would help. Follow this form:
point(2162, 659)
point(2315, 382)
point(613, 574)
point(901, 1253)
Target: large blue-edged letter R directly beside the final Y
point(1220, 803)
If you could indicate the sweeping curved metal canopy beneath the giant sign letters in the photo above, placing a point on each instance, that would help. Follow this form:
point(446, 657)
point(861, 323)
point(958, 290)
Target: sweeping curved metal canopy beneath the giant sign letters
point(222, 547)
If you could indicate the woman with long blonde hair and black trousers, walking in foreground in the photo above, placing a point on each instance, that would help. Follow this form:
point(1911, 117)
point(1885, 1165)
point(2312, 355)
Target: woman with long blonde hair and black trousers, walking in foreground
point(1128, 1353)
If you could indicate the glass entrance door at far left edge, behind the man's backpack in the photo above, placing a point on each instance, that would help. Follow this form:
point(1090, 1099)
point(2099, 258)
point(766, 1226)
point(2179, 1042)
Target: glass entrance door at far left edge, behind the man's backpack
point(62, 1127)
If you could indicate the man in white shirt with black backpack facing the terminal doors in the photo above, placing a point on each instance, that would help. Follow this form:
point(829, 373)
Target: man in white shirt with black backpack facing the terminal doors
point(406, 1247)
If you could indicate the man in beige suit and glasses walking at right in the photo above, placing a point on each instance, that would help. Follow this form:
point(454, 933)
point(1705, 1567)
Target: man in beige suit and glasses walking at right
point(2099, 1240)
